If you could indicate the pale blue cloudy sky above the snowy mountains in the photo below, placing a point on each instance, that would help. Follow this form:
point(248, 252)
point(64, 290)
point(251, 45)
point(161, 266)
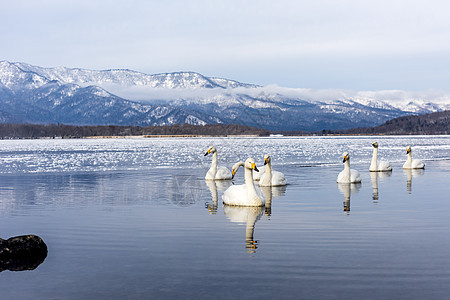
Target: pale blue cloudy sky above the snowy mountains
point(350, 45)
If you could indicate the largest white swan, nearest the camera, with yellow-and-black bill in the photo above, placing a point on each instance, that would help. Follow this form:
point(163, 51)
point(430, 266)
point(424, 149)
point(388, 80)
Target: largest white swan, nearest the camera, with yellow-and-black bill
point(245, 194)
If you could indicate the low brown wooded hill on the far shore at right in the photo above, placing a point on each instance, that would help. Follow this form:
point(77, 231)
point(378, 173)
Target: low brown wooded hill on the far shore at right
point(433, 123)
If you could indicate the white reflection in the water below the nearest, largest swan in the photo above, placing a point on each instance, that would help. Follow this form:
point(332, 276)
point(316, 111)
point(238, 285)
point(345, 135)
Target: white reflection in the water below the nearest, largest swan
point(249, 216)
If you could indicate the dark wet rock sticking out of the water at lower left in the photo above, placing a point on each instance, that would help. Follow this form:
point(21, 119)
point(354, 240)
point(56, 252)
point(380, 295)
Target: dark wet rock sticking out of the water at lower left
point(21, 253)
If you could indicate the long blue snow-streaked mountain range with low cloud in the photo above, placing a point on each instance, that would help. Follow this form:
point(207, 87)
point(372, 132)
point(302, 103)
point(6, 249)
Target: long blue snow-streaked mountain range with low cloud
point(32, 94)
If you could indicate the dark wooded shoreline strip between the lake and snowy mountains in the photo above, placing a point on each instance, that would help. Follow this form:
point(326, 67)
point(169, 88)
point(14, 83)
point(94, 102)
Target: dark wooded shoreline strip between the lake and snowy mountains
point(434, 123)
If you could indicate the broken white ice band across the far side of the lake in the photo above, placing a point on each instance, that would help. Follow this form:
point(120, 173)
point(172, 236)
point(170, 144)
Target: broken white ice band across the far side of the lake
point(86, 155)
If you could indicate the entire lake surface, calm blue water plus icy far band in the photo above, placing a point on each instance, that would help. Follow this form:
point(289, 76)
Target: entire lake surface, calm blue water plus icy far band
point(134, 218)
